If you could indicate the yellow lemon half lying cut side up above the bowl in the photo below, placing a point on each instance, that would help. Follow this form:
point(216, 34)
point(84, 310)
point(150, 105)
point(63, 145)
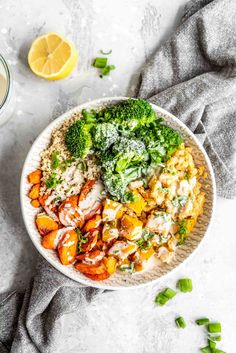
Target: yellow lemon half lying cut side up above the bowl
point(52, 56)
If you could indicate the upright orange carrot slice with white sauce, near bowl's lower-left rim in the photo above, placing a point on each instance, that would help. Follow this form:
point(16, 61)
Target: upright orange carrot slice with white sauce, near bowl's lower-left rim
point(67, 247)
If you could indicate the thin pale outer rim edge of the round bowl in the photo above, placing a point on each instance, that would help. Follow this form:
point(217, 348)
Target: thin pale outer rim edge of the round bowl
point(63, 117)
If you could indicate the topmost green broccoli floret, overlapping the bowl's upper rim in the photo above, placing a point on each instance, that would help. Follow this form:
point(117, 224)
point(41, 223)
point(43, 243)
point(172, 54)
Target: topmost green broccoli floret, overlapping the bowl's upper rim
point(131, 113)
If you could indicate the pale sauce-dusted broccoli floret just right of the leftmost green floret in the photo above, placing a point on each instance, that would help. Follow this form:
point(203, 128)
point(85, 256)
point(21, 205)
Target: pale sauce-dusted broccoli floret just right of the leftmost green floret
point(104, 135)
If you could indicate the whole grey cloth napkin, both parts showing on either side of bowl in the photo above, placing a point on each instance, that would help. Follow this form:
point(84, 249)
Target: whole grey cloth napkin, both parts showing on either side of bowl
point(193, 76)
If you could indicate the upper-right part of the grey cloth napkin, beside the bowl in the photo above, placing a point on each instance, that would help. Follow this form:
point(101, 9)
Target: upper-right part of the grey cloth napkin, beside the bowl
point(193, 76)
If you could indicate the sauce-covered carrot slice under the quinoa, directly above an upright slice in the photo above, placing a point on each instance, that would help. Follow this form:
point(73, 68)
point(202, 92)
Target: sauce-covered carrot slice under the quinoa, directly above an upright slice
point(70, 214)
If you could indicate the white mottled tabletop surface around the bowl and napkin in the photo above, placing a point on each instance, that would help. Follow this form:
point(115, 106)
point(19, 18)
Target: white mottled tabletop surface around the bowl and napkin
point(126, 321)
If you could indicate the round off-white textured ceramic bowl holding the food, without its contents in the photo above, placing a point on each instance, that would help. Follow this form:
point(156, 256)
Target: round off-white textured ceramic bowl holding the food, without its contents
point(119, 280)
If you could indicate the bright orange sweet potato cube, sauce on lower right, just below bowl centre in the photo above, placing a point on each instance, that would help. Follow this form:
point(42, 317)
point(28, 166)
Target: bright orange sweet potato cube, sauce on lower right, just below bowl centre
point(131, 227)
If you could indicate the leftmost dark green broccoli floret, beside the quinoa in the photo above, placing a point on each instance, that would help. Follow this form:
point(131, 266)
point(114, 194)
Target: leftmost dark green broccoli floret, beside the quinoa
point(78, 139)
